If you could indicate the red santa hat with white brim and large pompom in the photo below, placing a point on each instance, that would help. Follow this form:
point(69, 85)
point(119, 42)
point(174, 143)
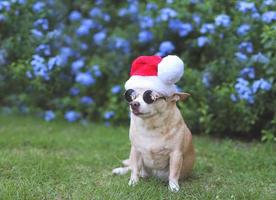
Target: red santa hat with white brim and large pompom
point(156, 73)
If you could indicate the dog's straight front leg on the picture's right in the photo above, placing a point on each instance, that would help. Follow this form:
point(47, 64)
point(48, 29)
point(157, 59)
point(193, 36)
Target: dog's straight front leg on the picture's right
point(176, 159)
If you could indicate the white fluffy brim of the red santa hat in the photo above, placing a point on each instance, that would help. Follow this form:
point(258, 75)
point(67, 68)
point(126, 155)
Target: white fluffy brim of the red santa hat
point(151, 83)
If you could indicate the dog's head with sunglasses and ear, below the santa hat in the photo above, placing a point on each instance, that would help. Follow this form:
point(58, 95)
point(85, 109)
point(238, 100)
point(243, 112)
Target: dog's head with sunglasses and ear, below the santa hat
point(146, 103)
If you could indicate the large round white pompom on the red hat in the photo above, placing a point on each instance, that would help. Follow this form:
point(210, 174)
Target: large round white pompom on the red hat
point(170, 69)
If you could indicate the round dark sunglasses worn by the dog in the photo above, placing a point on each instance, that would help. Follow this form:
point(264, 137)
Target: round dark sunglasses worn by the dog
point(148, 96)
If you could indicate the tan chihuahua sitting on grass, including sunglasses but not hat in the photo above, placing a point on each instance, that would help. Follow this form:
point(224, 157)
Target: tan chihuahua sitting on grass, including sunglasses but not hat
point(161, 143)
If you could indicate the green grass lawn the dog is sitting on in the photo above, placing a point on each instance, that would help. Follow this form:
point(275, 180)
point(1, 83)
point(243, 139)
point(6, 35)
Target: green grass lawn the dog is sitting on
point(58, 160)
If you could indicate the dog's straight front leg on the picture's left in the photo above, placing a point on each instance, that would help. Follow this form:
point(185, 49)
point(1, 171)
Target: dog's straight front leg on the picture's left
point(135, 164)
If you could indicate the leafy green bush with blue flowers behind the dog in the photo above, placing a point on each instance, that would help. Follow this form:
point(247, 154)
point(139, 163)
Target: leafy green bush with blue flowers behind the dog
point(71, 59)
